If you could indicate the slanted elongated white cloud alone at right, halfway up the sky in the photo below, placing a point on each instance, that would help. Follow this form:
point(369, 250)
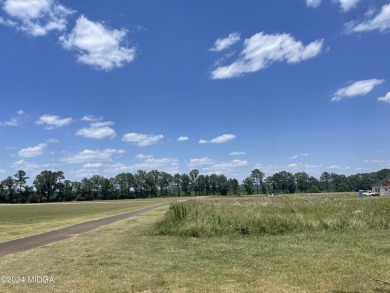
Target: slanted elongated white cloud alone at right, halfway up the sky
point(358, 88)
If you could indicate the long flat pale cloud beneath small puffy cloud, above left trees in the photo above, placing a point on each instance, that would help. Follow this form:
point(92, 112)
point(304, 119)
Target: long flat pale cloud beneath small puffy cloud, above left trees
point(92, 156)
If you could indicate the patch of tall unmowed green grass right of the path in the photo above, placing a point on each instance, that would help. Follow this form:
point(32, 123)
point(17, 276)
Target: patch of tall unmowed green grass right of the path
point(274, 216)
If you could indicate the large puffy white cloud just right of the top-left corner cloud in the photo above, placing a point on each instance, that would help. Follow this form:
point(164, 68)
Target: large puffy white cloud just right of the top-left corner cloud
point(98, 45)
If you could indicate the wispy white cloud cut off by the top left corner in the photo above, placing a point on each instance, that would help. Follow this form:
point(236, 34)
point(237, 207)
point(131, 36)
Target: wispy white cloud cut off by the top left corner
point(37, 17)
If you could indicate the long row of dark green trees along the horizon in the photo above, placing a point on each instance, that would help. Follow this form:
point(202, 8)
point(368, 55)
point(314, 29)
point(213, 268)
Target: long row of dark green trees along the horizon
point(51, 186)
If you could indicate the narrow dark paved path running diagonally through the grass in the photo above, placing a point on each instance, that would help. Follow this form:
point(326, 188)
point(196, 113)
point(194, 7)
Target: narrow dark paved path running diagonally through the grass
point(30, 242)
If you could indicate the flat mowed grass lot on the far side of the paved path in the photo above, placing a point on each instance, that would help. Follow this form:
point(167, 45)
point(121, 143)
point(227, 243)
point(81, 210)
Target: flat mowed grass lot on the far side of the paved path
point(17, 221)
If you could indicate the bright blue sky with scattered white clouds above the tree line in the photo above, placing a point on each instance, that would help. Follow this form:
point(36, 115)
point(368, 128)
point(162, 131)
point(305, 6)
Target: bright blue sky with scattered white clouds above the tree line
point(221, 86)
